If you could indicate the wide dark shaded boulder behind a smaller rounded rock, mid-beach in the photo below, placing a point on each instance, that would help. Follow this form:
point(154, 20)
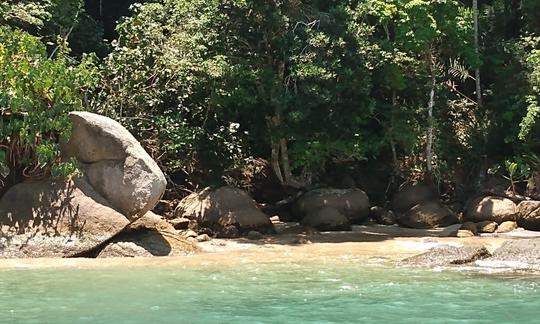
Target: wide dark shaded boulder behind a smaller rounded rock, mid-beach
point(352, 203)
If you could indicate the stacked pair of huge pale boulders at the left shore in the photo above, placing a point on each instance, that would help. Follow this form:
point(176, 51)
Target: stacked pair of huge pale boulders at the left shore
point(117, 185)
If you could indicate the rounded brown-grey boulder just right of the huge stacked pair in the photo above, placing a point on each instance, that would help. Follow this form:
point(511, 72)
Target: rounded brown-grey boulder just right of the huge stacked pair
point(228, 211)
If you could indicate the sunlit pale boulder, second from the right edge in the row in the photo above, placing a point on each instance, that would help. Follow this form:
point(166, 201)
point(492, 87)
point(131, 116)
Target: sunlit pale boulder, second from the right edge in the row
point(491, 208)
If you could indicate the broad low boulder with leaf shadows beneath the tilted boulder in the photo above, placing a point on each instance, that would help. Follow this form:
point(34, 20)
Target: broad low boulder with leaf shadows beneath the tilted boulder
point(50, 218)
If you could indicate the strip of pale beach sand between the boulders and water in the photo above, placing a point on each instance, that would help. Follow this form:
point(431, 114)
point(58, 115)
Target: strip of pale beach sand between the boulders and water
point(382, 243)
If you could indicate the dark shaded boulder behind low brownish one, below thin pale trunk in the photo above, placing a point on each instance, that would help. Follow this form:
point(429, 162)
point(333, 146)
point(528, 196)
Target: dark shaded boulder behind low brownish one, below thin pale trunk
point(412, 194)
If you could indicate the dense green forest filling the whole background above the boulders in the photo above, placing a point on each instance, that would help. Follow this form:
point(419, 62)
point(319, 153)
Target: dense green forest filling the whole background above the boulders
point(308, 85)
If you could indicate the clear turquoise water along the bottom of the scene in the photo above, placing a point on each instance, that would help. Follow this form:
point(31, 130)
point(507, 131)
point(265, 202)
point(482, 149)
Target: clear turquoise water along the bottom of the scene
point(341, 292)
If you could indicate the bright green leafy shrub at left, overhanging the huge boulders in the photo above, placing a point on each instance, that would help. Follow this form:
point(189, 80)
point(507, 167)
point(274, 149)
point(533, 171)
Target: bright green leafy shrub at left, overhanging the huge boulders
point(36, 93)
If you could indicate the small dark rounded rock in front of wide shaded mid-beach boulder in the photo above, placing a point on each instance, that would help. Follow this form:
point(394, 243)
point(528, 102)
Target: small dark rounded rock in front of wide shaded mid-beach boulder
point(326, 219)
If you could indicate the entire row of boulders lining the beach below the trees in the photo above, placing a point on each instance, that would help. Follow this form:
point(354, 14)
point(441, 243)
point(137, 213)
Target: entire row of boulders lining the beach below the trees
point(105, 210)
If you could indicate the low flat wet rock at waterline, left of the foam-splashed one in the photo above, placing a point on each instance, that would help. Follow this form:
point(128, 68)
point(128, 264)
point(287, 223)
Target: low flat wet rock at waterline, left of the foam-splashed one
point(448, 255)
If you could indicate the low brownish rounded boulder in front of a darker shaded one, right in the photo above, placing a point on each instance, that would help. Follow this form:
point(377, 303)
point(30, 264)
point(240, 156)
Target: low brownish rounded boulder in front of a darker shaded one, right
point(428, 215)
